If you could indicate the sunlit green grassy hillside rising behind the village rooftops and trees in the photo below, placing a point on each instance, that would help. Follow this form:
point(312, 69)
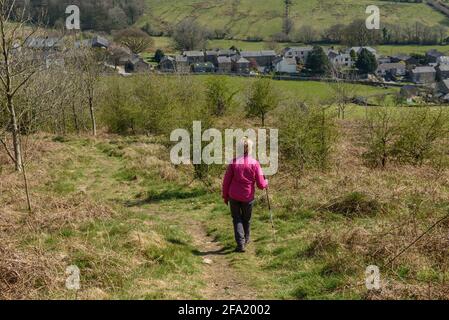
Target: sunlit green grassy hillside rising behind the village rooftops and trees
point(245, 18)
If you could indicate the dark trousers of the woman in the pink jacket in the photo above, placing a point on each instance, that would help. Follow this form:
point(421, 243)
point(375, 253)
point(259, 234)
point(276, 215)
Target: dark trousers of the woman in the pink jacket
point(241, 216)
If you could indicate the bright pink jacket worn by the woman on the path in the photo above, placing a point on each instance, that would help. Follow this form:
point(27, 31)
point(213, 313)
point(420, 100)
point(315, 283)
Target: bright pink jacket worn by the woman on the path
point(240, 179)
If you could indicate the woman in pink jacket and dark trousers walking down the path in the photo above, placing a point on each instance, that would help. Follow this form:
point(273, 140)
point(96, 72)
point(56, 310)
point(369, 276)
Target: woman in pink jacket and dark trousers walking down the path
point(239, 182)
